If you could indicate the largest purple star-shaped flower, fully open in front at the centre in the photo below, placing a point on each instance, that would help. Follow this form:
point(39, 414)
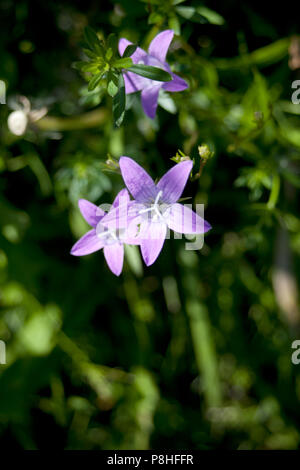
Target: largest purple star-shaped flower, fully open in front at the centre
point(155, 207)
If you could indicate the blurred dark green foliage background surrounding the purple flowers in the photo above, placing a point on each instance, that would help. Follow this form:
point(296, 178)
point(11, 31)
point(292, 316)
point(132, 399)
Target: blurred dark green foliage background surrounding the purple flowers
point(195, 351)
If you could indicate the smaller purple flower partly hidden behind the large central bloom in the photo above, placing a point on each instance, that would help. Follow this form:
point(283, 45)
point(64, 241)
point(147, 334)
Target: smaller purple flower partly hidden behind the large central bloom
point(110, 239)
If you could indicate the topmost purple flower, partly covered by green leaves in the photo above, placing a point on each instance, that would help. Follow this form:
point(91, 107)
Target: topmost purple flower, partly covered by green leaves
point(155, 57)
